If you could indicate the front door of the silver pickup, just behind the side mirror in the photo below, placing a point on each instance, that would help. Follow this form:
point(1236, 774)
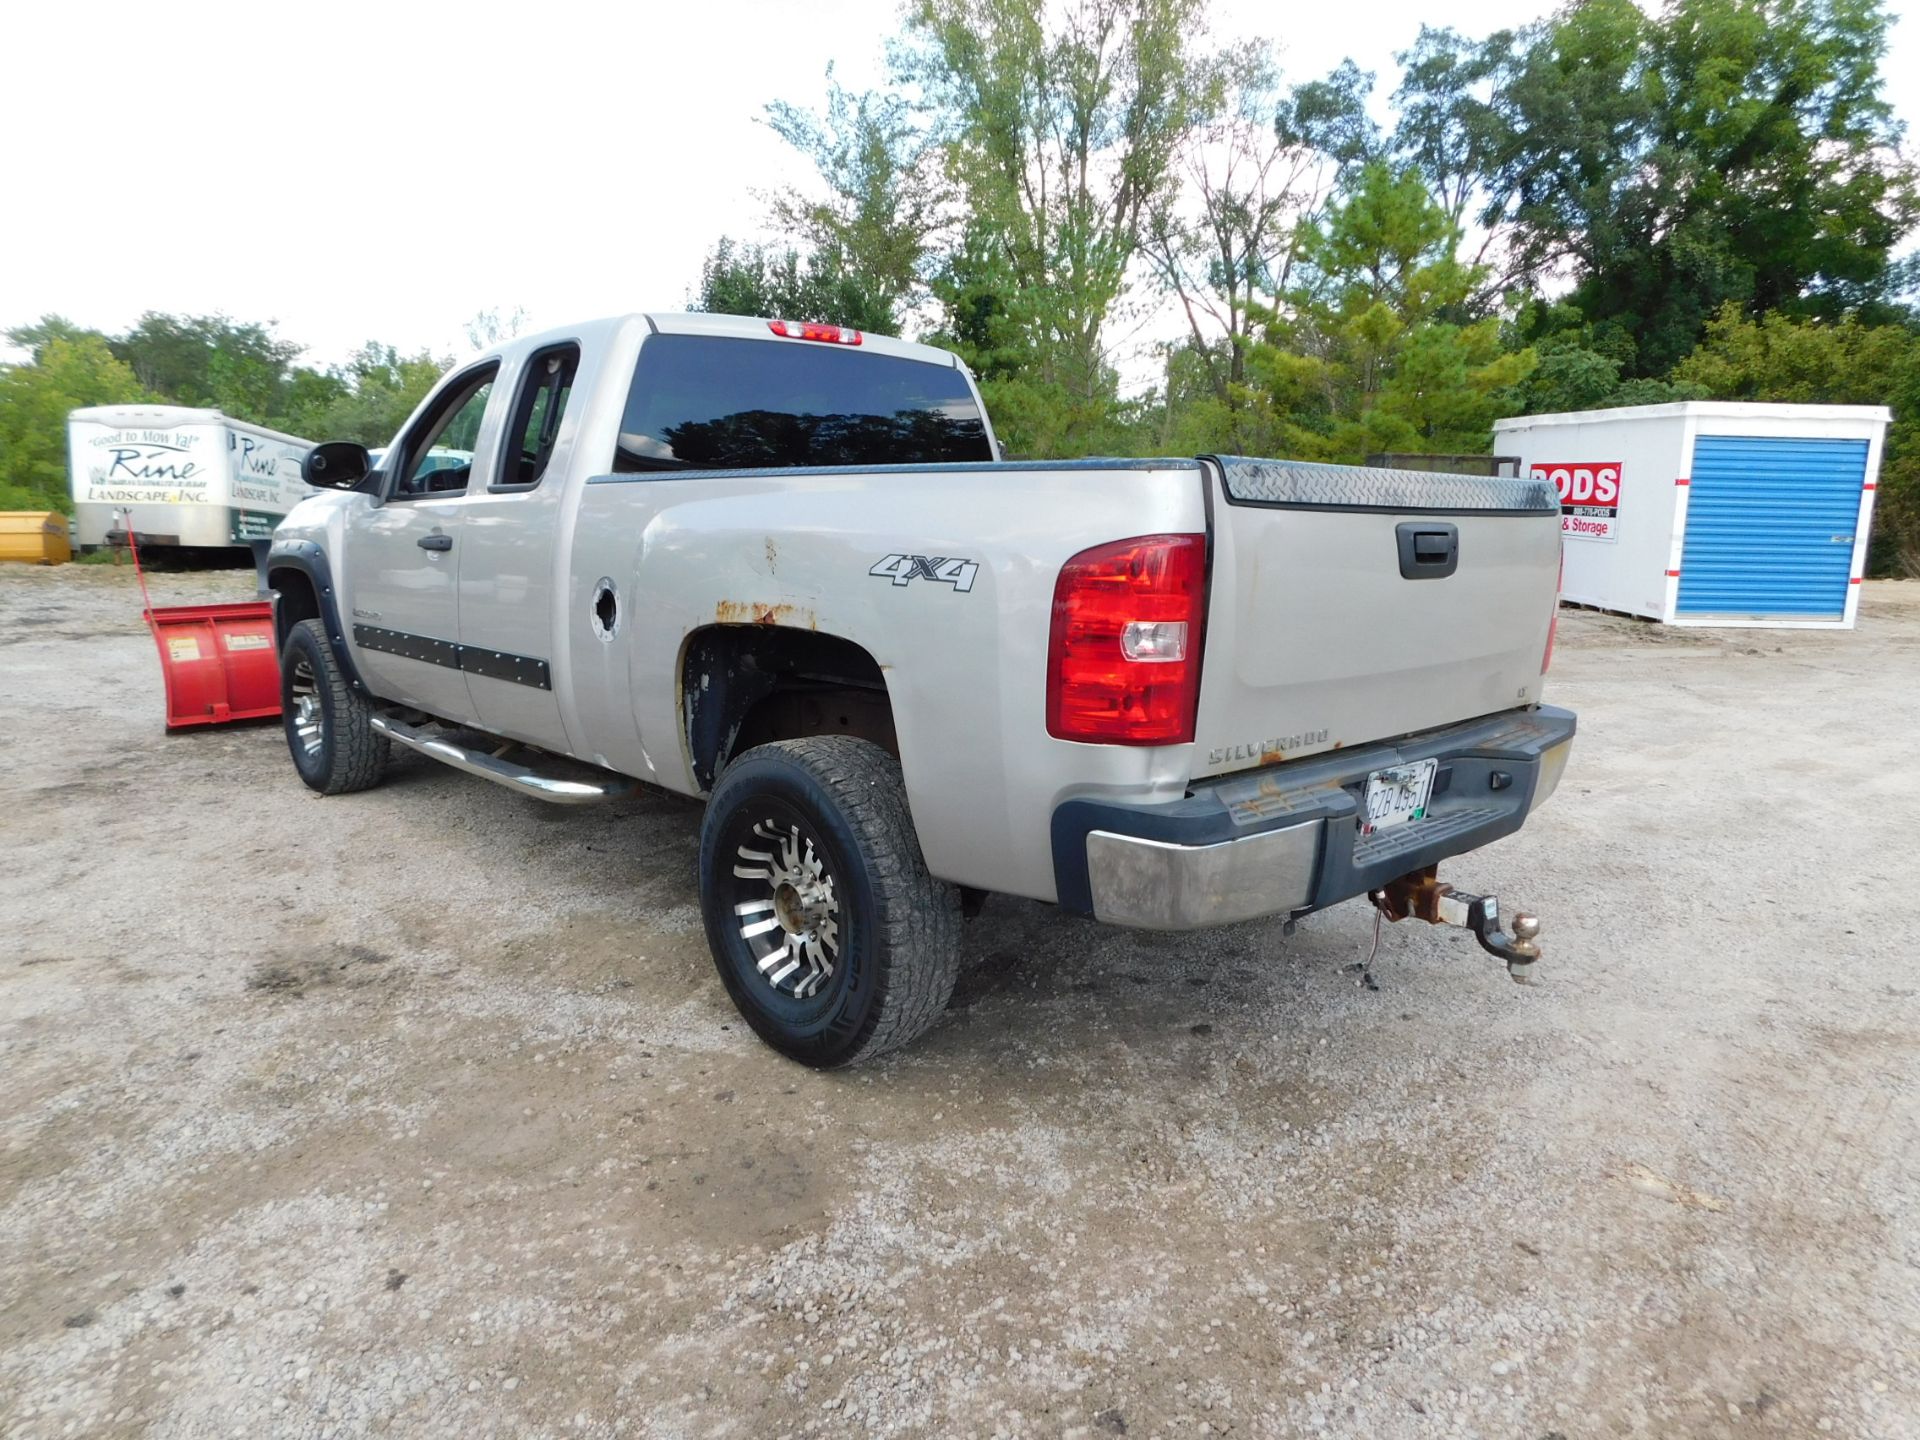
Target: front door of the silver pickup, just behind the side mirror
point(402, 556)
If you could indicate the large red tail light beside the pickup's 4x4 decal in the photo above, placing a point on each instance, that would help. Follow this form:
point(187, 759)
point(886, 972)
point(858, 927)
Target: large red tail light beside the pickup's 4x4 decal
point(1124, 654)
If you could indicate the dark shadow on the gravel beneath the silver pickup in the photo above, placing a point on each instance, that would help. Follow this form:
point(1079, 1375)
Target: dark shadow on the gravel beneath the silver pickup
point(1032, 974)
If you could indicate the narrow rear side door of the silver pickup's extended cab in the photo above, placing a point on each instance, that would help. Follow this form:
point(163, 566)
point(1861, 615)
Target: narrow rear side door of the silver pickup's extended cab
point(510, 562)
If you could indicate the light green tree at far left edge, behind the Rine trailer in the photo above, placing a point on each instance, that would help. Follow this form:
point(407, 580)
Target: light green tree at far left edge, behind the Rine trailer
point(70, 370)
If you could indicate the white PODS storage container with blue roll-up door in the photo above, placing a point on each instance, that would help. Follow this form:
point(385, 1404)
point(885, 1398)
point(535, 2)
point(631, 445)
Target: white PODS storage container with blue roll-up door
point(1712, 514)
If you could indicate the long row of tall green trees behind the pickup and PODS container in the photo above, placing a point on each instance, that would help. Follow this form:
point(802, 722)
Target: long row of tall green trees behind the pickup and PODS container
point(1602, 208)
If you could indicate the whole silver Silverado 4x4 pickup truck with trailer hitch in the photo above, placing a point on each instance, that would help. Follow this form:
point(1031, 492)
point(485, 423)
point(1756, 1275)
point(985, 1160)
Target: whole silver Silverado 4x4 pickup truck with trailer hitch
point(780, 567)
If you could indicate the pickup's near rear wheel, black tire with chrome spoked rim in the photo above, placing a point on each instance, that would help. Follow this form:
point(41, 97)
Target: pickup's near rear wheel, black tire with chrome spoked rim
point(815, 838)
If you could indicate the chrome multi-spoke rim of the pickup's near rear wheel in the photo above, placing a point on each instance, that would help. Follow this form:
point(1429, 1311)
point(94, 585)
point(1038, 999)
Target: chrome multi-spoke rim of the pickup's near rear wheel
point(790, 915)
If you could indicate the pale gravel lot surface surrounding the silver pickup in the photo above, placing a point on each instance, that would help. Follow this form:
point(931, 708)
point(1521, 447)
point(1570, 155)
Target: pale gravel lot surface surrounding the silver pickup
point(421, 1113)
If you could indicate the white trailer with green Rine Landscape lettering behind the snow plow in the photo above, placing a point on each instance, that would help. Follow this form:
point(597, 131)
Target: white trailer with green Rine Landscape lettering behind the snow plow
point(180, 477)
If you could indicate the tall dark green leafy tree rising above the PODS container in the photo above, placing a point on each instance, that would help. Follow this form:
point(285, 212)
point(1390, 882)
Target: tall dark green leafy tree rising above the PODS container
point(1723, 151)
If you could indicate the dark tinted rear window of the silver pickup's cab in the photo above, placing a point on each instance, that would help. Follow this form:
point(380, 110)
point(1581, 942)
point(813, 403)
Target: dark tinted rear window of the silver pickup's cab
point(717, 404)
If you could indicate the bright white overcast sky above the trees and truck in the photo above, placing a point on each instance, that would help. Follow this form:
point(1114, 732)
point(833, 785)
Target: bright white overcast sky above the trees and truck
point(389, 170)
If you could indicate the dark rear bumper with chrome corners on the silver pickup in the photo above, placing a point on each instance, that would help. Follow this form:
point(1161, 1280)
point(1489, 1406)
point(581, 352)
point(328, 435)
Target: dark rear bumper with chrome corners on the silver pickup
point(1285, 840)
